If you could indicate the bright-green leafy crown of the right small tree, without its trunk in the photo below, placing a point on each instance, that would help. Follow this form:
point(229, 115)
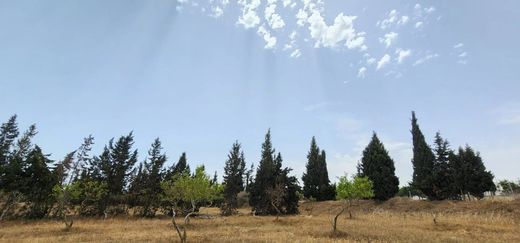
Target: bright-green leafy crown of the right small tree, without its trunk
point(355, 189)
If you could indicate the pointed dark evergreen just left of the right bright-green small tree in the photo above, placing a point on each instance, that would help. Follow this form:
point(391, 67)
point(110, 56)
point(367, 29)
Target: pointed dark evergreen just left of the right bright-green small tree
point(316, 183)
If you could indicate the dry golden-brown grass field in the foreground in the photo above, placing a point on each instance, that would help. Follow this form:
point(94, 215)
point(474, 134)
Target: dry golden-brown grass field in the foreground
point(399, 220)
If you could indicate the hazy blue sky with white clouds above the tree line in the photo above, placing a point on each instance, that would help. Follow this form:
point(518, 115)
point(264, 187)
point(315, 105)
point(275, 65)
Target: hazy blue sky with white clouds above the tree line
point(201, 74)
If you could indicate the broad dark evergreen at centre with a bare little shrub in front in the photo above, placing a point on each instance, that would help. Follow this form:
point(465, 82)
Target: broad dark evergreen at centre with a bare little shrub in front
point(268, 177)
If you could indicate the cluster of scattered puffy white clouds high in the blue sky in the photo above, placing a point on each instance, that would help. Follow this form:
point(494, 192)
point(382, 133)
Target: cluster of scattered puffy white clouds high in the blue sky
point(271, 20)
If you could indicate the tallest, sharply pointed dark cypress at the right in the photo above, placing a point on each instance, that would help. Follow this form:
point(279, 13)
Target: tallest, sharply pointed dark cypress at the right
point(422, 161)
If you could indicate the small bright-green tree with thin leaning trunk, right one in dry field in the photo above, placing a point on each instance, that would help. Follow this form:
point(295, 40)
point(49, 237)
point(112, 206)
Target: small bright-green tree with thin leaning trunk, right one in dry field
point(350, 191)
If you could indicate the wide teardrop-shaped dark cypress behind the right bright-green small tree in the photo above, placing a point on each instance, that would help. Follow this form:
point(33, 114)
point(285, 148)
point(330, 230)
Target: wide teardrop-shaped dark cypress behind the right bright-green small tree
point(377, 165)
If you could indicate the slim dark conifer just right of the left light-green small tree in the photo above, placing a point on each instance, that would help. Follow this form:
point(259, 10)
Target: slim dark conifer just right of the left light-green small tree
point(233, 179)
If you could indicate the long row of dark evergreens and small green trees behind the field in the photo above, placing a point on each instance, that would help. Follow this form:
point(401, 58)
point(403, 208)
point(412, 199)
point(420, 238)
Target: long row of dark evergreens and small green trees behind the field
point(116, 182)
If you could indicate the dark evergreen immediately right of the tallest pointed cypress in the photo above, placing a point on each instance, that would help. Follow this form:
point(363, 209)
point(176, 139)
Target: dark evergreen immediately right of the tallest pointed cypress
point(442, 171)
